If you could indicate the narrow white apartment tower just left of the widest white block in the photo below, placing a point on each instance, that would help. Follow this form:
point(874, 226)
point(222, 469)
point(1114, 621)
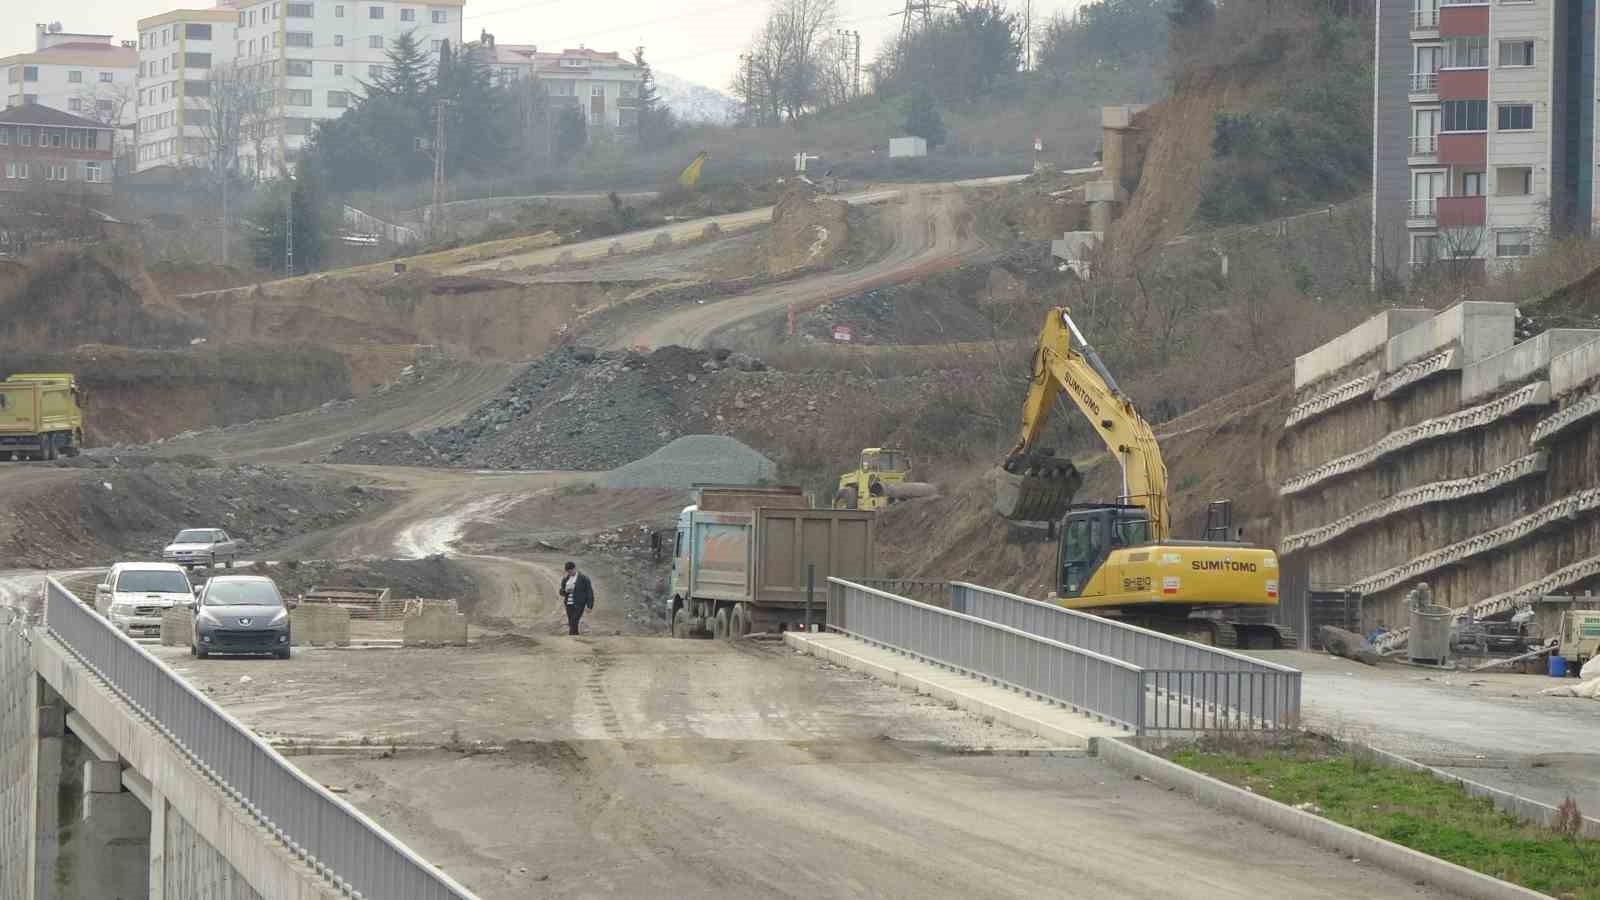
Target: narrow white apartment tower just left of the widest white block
point(178, 55)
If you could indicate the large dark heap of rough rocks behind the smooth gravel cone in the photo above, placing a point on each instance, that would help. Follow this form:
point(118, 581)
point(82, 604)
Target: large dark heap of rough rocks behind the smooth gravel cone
point(588, 411)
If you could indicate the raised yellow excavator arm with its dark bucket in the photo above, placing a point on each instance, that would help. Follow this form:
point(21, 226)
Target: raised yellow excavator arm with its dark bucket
point(1038, 486)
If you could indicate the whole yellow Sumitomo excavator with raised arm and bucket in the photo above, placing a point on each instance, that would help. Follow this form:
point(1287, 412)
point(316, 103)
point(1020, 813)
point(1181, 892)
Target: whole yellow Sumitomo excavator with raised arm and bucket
point(1119, 560)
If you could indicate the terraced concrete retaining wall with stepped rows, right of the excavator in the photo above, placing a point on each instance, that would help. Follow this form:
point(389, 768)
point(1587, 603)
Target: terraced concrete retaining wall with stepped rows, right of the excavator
point(1450, 456)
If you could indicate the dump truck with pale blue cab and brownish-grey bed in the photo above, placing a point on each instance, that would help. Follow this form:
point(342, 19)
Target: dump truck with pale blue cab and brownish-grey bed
point(743, 558)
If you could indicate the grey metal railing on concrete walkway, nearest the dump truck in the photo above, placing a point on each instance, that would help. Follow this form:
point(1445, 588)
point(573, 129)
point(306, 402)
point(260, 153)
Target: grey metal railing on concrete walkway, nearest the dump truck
point(1089, 683)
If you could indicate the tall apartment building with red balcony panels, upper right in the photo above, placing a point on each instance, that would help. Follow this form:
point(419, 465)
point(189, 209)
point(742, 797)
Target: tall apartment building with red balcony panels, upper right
point(1484, 131)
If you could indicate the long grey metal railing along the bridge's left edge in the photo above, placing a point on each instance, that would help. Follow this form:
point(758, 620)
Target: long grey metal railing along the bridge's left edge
point(359, 858)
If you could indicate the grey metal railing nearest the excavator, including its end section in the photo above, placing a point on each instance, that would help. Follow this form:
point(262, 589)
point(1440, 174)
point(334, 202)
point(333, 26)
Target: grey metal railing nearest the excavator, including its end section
point(1194, 686)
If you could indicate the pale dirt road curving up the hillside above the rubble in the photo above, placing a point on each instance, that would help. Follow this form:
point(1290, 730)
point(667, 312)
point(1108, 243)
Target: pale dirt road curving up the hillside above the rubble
point(927, 235)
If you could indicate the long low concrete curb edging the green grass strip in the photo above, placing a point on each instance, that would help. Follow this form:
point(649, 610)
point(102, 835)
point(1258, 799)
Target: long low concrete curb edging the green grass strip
point(1455, 882)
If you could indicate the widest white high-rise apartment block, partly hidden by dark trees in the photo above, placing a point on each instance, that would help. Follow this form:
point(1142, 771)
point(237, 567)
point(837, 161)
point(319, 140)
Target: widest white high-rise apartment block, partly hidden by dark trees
point(319, 55)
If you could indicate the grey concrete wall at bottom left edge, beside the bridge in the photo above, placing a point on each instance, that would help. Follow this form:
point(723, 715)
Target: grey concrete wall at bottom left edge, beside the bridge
point(17, 742)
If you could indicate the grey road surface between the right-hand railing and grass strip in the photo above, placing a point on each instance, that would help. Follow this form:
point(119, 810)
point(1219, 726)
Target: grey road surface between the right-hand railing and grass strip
point(1490, 728)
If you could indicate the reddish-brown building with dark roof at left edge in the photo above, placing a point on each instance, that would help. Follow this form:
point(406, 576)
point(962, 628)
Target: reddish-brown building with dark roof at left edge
point(54, 153)
